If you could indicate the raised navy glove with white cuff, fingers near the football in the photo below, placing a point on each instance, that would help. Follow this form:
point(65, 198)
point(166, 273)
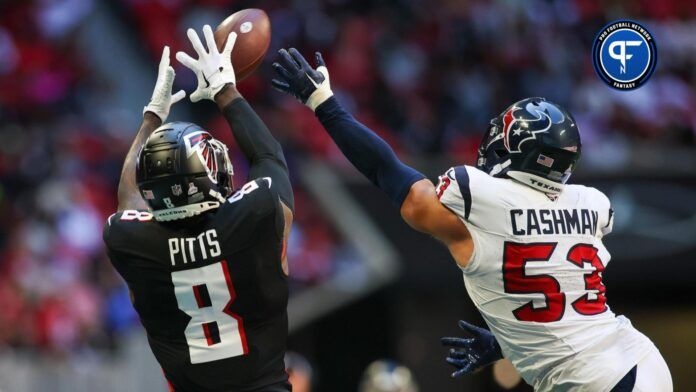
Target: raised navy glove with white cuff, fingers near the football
point(297, 78)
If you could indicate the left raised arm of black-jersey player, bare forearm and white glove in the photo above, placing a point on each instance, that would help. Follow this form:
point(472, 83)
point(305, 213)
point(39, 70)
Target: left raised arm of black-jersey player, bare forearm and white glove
point(154, 114)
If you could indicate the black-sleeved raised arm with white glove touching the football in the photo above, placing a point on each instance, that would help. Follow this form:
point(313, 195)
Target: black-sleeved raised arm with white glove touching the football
point(256, 142)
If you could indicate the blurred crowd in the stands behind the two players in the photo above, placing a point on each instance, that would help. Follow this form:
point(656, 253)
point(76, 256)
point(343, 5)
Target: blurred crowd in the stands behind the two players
point(426, 75)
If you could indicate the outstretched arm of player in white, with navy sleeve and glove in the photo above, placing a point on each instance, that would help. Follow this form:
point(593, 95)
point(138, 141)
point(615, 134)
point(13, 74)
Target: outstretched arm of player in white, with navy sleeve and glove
point(406, 187)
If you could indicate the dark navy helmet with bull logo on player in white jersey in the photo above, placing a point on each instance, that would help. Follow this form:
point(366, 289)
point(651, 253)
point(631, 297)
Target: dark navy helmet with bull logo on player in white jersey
point(534, 141)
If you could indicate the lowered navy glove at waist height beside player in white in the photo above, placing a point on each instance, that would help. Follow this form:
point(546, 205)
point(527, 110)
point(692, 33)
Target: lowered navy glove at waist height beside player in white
point(474, 353)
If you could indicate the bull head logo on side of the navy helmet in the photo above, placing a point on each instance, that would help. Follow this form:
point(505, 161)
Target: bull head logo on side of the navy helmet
point(519, 129)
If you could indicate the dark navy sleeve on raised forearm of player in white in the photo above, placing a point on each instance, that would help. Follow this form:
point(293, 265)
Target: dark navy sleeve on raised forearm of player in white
point(371, 155)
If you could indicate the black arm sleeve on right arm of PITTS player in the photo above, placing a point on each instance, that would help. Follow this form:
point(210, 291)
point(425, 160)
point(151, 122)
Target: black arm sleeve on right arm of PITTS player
point(264, 153)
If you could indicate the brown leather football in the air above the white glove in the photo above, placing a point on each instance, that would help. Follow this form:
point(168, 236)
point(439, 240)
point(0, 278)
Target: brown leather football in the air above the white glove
point(253, 30)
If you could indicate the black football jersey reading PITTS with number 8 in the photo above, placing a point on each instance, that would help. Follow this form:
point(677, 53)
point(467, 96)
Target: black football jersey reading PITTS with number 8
point(210, 291)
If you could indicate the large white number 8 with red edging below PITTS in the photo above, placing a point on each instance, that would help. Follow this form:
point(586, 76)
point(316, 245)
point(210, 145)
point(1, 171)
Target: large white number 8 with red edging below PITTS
point(206, 294)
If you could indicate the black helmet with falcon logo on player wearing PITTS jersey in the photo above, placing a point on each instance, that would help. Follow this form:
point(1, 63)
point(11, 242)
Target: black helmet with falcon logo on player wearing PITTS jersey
point(183, 171)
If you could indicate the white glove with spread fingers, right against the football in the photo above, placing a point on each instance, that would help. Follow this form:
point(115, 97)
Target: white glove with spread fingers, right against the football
point(213, 69)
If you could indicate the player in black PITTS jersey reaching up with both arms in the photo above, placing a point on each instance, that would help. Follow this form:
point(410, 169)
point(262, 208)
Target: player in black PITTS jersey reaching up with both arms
point(205, 261)
